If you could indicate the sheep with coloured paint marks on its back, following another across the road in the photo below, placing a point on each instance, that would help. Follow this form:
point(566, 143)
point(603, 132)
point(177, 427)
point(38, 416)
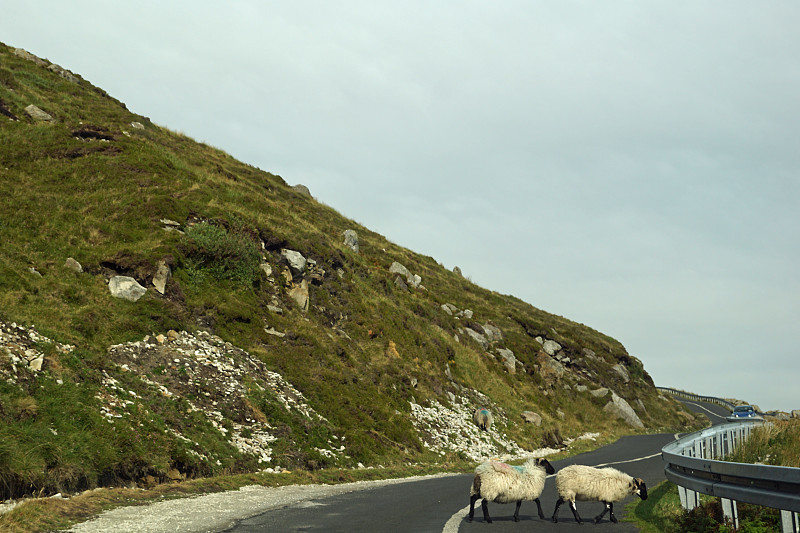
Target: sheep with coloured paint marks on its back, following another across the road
point(502, 483)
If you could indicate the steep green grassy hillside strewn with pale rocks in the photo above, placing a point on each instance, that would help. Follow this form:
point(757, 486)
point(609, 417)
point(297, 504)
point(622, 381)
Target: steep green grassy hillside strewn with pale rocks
point(225, 372)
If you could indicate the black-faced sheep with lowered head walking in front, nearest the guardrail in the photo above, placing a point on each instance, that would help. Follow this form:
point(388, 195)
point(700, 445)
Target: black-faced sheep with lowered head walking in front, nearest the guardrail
point(587, 483)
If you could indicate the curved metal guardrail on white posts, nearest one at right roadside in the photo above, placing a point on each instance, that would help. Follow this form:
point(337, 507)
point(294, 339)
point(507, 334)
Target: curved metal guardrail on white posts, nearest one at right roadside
point(691, 463)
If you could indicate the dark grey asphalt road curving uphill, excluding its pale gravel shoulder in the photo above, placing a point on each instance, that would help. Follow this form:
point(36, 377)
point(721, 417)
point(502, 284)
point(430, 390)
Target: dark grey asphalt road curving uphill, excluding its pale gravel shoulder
point(440, 505)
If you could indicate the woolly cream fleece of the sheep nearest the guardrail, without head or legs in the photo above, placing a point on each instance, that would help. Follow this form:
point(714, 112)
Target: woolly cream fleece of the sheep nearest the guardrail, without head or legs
point(586, 483)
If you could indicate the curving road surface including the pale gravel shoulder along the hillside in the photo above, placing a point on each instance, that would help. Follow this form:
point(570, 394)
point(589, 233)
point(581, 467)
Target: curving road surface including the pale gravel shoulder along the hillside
point(436, 504)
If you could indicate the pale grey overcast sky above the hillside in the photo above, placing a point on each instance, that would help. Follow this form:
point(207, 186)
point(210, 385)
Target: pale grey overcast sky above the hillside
point(633, 166)
